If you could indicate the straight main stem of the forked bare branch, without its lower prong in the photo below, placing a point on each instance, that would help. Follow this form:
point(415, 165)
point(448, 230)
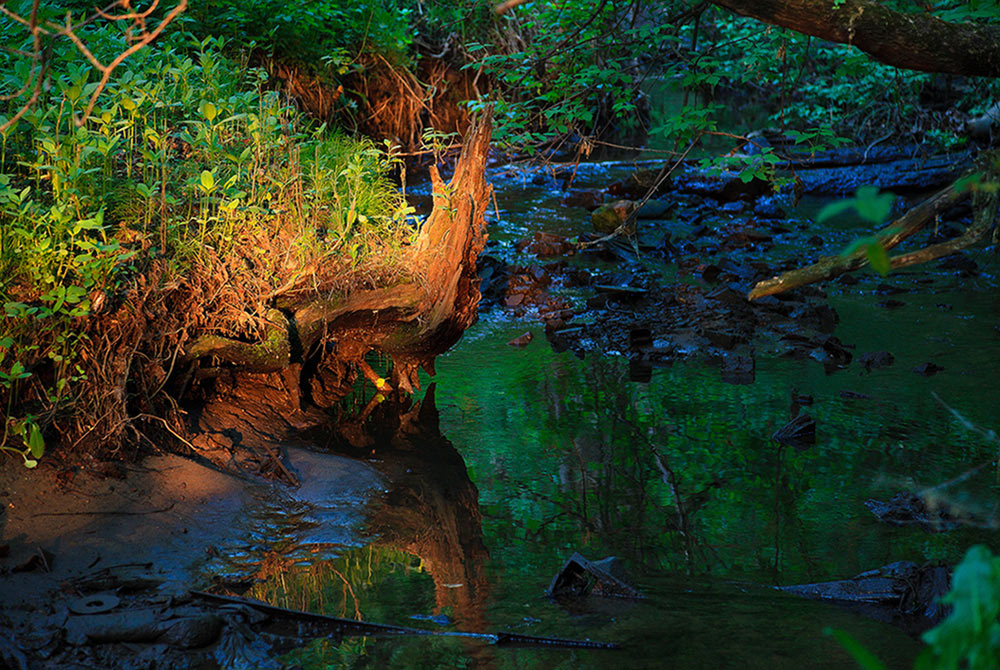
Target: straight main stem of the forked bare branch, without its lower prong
point(829, 267)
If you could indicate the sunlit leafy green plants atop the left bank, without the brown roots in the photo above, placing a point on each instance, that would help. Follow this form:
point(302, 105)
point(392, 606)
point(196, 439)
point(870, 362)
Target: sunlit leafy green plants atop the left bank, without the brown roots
point(187, 160)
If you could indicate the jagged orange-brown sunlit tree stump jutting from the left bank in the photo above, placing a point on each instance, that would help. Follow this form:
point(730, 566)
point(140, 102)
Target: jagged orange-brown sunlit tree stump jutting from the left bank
point(413, 321)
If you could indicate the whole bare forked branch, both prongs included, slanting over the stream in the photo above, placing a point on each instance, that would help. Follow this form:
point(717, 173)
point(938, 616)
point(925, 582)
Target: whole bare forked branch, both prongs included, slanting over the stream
point(891, 235)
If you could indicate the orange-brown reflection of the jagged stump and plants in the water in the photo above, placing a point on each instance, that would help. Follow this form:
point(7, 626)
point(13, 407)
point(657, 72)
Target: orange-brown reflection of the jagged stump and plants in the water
point(424, 565)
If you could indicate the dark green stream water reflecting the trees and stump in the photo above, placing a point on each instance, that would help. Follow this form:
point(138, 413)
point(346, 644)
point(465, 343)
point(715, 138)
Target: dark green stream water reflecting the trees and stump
point(522, 456)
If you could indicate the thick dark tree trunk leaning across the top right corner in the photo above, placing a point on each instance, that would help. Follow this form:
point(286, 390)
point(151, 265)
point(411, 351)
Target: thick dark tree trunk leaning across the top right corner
point(912, 41)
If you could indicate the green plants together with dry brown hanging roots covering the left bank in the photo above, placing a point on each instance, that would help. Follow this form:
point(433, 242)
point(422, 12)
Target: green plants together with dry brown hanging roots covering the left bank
point(186, 203)
